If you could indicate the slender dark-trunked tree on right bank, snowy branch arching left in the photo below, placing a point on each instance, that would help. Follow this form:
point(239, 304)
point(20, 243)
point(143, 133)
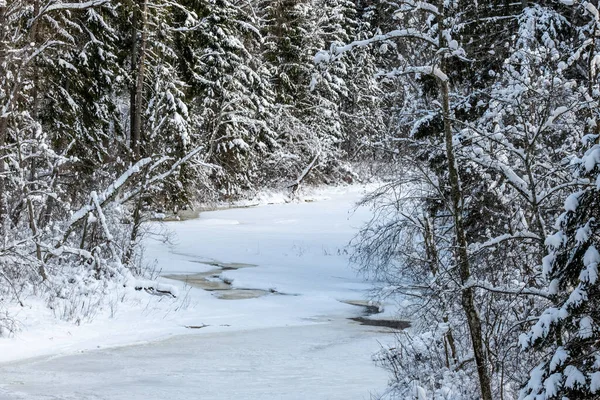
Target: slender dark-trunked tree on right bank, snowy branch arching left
point(428, 28)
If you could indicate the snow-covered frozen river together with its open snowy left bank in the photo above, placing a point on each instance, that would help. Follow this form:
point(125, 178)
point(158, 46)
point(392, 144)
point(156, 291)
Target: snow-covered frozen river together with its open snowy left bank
point(295, 342)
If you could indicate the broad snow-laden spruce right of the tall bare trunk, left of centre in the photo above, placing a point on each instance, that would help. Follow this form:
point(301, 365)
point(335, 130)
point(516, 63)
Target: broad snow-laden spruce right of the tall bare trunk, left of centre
point(229, 92)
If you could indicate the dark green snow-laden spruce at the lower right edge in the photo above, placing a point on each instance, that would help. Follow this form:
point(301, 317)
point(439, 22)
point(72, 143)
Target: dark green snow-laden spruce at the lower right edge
point(569, 330)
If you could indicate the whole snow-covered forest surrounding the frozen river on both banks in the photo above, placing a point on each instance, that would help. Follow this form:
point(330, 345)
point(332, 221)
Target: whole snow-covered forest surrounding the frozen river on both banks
point(480, 120)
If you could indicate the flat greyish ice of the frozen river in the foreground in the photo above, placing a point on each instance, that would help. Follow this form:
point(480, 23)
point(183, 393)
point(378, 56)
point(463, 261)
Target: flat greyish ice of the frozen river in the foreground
point(328, 361)
